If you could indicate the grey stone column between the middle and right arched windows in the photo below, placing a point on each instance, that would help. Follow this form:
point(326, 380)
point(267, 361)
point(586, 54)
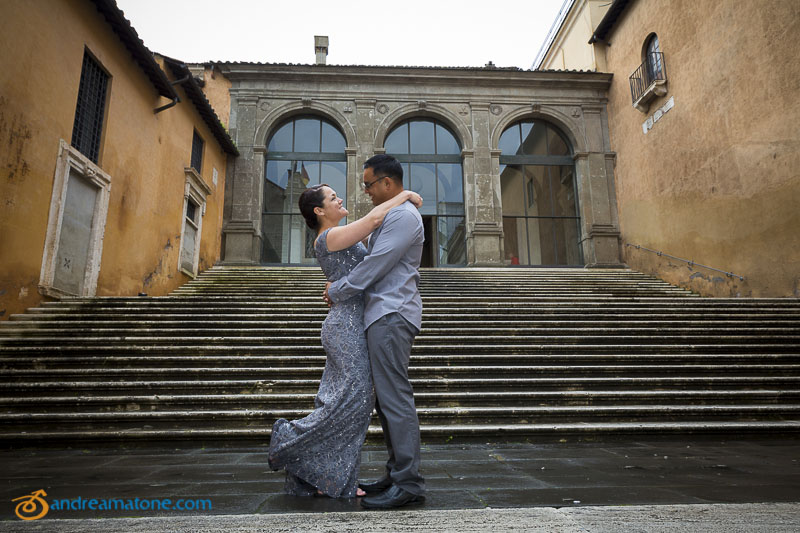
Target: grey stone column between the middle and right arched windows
point(482, 194)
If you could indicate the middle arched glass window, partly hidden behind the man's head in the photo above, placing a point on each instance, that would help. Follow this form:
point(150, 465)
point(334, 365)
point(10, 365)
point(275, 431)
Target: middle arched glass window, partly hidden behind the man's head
point(431, 159)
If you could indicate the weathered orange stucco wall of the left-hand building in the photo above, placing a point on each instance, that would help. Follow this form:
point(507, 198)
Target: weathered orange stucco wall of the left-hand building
point(43, 45)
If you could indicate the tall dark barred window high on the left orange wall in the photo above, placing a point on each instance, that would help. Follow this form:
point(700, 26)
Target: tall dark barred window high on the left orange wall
point(88, 126)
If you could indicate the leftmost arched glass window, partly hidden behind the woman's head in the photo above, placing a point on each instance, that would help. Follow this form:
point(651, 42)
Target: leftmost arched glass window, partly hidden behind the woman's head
point(303, 152)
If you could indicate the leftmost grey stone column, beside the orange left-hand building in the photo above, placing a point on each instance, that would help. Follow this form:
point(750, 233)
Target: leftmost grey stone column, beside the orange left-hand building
point(242, 232)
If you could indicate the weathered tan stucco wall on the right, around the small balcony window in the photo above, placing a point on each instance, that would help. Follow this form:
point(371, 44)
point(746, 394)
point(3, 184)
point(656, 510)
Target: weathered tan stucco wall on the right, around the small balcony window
point(716, 179)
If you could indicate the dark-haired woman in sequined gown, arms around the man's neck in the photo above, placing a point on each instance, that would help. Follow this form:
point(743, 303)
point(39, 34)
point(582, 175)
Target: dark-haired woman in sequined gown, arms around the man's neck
point(322, 452)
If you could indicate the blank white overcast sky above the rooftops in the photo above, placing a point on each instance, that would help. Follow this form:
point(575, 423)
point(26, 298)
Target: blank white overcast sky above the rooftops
point(409, 32)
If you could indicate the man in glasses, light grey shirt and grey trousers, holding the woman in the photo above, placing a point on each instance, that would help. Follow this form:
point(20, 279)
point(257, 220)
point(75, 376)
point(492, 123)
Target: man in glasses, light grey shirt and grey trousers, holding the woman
point(389, 279)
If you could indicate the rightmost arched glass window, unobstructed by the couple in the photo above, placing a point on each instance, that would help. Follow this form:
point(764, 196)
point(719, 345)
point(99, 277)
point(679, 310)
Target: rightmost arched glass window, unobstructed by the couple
point(540, 207)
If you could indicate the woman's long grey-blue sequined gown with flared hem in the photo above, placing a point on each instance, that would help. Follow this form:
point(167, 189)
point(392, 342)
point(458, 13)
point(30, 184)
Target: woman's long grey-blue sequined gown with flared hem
point(323, 450)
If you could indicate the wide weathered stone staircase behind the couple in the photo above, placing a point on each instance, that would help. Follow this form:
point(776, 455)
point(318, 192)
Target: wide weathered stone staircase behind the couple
point(504, 355)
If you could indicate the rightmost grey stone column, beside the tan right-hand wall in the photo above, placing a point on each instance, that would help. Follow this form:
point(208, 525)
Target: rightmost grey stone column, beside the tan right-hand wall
point(598, 203)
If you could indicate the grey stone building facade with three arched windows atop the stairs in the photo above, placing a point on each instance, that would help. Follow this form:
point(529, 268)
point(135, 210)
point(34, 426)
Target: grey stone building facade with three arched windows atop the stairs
point(514, 166)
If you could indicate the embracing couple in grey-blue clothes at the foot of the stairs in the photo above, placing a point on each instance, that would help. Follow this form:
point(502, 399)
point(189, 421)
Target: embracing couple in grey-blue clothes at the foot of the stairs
point(375, 313)
